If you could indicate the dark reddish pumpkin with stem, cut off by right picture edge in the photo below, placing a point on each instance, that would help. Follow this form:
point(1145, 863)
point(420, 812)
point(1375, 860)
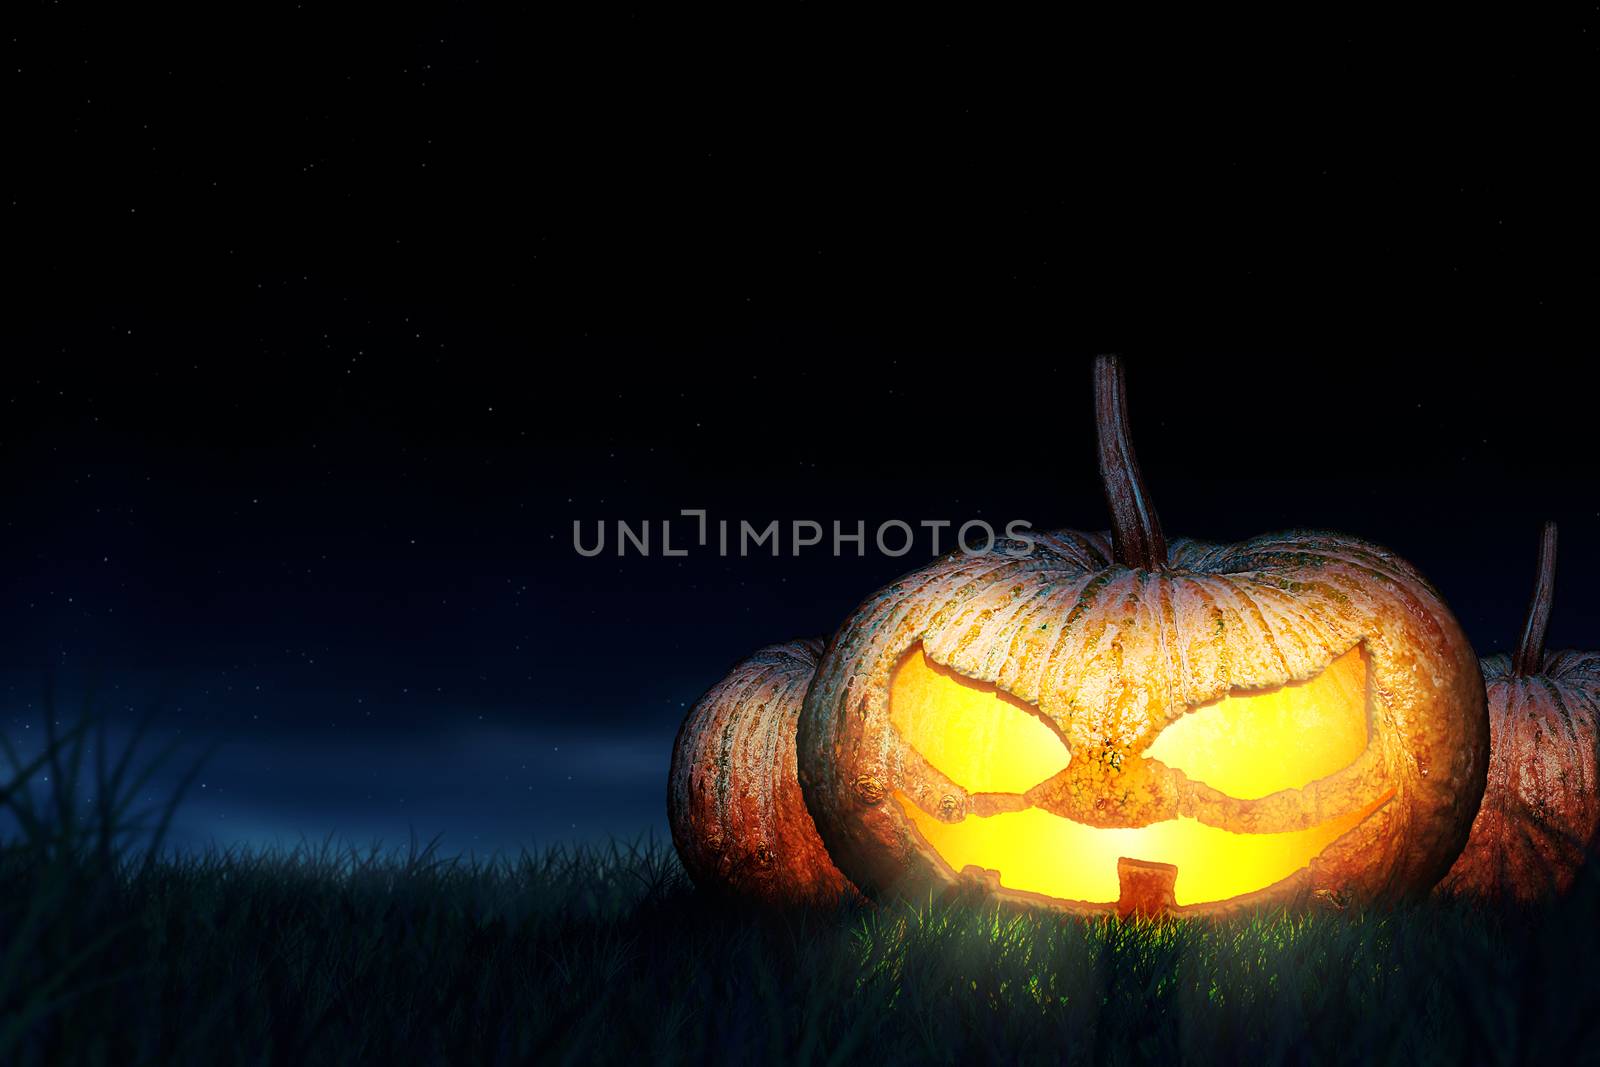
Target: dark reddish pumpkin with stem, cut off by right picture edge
point(1542, 805)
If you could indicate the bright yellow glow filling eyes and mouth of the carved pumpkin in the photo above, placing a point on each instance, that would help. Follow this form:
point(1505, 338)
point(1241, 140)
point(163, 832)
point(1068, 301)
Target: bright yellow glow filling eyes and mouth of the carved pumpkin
point(1247, 745)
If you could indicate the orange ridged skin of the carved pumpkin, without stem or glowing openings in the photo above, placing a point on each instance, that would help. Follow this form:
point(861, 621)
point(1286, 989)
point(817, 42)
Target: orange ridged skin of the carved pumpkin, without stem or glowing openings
point(1113, 655)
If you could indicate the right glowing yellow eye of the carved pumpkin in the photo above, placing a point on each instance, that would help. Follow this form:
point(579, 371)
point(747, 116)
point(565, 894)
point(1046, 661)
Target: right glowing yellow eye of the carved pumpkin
point(1254, 745)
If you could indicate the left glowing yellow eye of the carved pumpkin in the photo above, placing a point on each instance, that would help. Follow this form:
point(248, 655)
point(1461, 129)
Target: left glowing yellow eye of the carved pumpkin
point(975, 735)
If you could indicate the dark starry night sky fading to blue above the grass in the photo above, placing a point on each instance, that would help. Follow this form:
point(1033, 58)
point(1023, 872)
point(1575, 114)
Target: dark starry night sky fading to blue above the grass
point(322, 335)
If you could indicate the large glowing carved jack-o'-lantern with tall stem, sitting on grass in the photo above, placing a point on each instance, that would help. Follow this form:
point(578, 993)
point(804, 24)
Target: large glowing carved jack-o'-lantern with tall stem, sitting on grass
point(1122, 724)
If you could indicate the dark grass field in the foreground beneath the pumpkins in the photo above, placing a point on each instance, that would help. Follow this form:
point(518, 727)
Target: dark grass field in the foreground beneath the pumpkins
point(116, 954)
